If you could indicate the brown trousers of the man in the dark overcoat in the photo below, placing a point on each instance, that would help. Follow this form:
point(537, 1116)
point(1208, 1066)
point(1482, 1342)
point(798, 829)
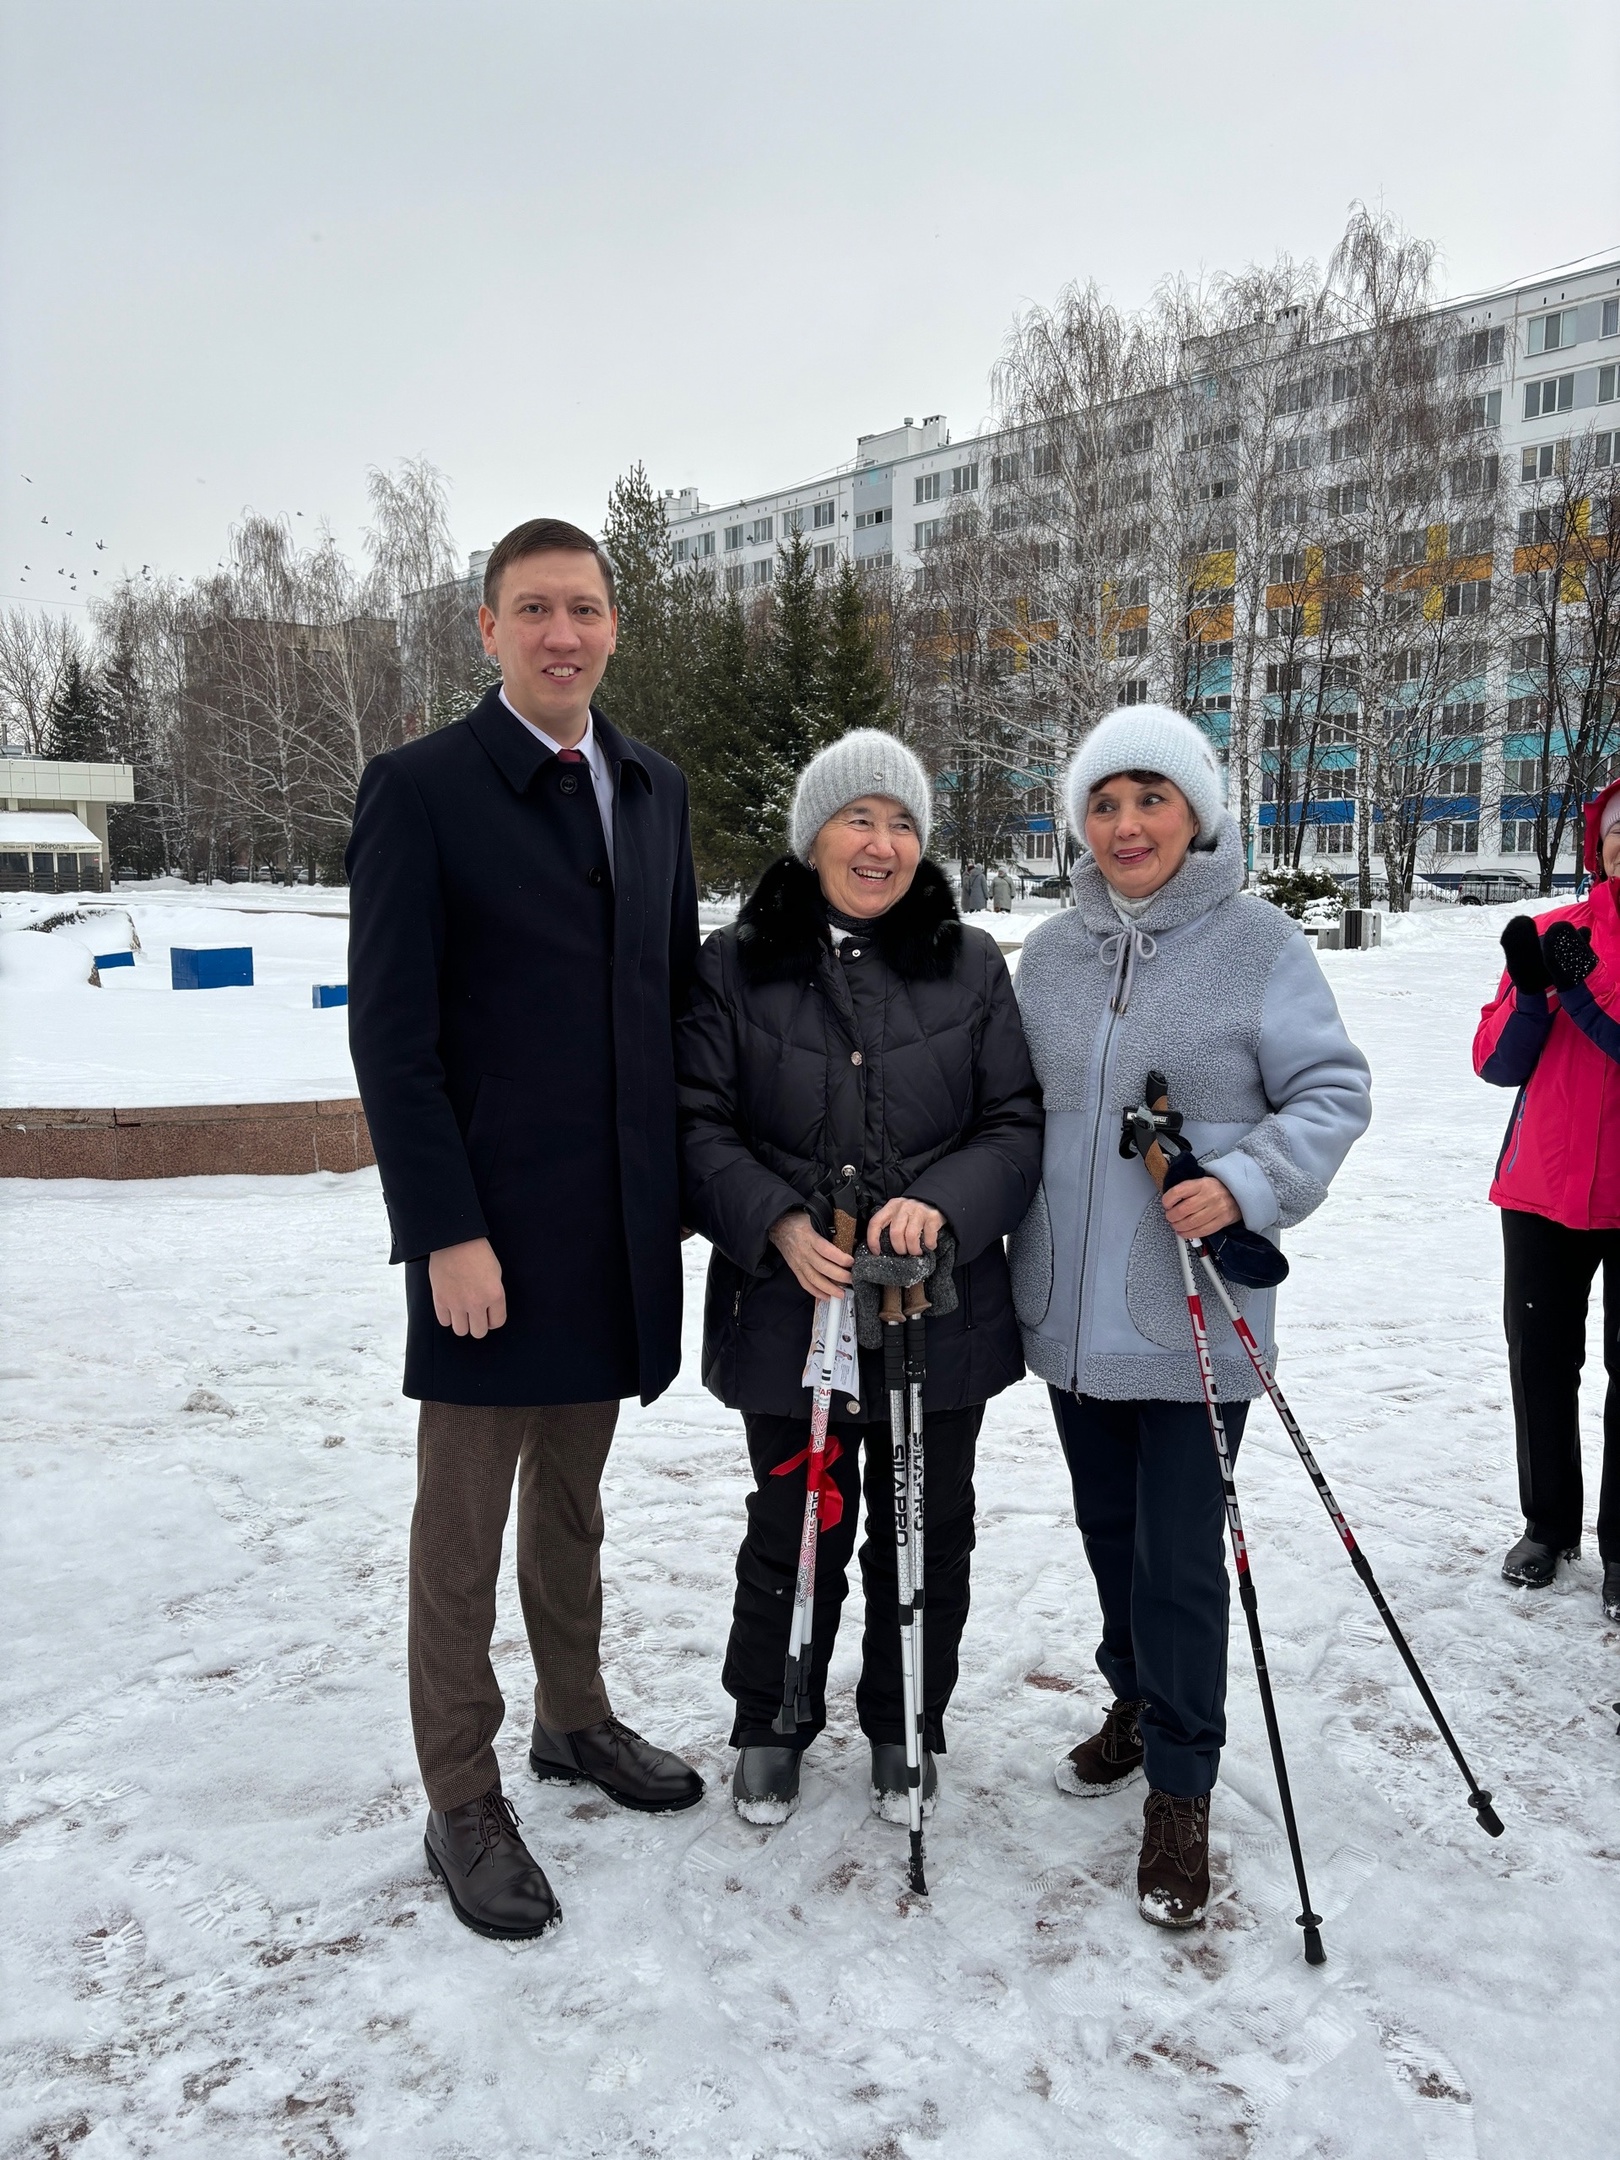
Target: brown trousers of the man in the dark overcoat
point(468, 1457)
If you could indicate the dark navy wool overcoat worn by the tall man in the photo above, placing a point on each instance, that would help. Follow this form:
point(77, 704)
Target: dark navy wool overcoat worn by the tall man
point(513, 1029)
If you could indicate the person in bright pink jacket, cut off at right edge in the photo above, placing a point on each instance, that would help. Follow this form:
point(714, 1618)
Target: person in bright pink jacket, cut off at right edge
point(1554, 1034)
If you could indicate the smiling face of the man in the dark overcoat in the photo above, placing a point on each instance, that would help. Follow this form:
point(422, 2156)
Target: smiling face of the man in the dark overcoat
point(554, 632)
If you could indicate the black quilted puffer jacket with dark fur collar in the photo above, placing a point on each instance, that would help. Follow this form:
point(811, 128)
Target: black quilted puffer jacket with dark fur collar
point(900, 1053)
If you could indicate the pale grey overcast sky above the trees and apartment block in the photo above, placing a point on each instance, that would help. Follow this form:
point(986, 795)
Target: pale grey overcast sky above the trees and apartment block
point(252, 249)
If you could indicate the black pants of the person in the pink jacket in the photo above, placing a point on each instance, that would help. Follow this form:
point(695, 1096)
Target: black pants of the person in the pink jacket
point(1545, 1288)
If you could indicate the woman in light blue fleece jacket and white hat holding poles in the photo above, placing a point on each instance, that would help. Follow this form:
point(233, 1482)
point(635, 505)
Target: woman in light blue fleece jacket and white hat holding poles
point(1163, 967)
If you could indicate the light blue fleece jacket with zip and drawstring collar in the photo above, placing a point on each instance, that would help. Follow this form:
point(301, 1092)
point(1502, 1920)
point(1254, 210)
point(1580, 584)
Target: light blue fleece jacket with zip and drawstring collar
point(1221, 993)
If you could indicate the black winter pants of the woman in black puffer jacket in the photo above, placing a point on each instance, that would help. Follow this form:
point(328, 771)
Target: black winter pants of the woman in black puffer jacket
point(768, 1567)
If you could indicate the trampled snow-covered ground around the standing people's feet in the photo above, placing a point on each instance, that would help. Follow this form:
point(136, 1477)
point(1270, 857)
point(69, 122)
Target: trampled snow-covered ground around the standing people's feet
point(221, 1934)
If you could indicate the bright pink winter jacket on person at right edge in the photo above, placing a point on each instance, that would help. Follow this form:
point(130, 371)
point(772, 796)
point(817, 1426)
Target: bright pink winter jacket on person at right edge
point(1563, 1053)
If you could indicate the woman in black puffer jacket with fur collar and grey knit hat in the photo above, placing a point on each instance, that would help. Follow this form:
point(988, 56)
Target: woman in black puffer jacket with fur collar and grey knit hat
point(848, 1023)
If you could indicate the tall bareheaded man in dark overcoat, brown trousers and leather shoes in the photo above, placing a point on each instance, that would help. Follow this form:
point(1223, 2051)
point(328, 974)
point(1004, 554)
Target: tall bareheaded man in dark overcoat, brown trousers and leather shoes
point(524, 926)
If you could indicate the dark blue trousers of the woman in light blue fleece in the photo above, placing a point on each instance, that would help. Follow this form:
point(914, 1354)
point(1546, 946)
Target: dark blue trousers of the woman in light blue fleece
point(1150, 1511)
